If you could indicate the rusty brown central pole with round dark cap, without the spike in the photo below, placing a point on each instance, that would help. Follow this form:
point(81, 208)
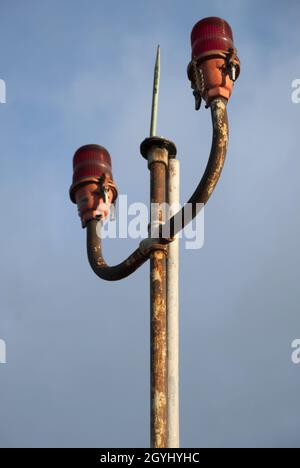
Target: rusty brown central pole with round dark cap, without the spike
point(157, 151)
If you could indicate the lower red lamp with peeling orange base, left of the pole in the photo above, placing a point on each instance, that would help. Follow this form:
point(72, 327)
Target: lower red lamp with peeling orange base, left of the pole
point(93, 188)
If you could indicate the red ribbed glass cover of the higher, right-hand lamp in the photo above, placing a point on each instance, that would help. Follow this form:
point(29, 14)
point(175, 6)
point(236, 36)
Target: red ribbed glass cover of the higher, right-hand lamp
point(210, 35)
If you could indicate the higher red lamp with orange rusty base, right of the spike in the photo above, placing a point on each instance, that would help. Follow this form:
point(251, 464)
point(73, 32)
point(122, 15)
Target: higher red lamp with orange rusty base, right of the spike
point(214, 66)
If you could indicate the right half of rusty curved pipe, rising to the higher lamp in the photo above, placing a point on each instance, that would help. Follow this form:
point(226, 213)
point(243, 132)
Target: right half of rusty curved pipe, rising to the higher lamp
point(212, 171)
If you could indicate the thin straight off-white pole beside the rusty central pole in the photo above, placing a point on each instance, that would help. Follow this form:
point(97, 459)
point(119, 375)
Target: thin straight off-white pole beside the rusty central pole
point(173, 310)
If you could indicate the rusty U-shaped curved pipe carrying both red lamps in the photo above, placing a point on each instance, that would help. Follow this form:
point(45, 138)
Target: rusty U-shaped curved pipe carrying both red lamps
point(179, 220)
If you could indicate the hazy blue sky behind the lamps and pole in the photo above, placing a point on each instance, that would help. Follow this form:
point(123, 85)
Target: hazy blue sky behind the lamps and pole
point(77, 348)
